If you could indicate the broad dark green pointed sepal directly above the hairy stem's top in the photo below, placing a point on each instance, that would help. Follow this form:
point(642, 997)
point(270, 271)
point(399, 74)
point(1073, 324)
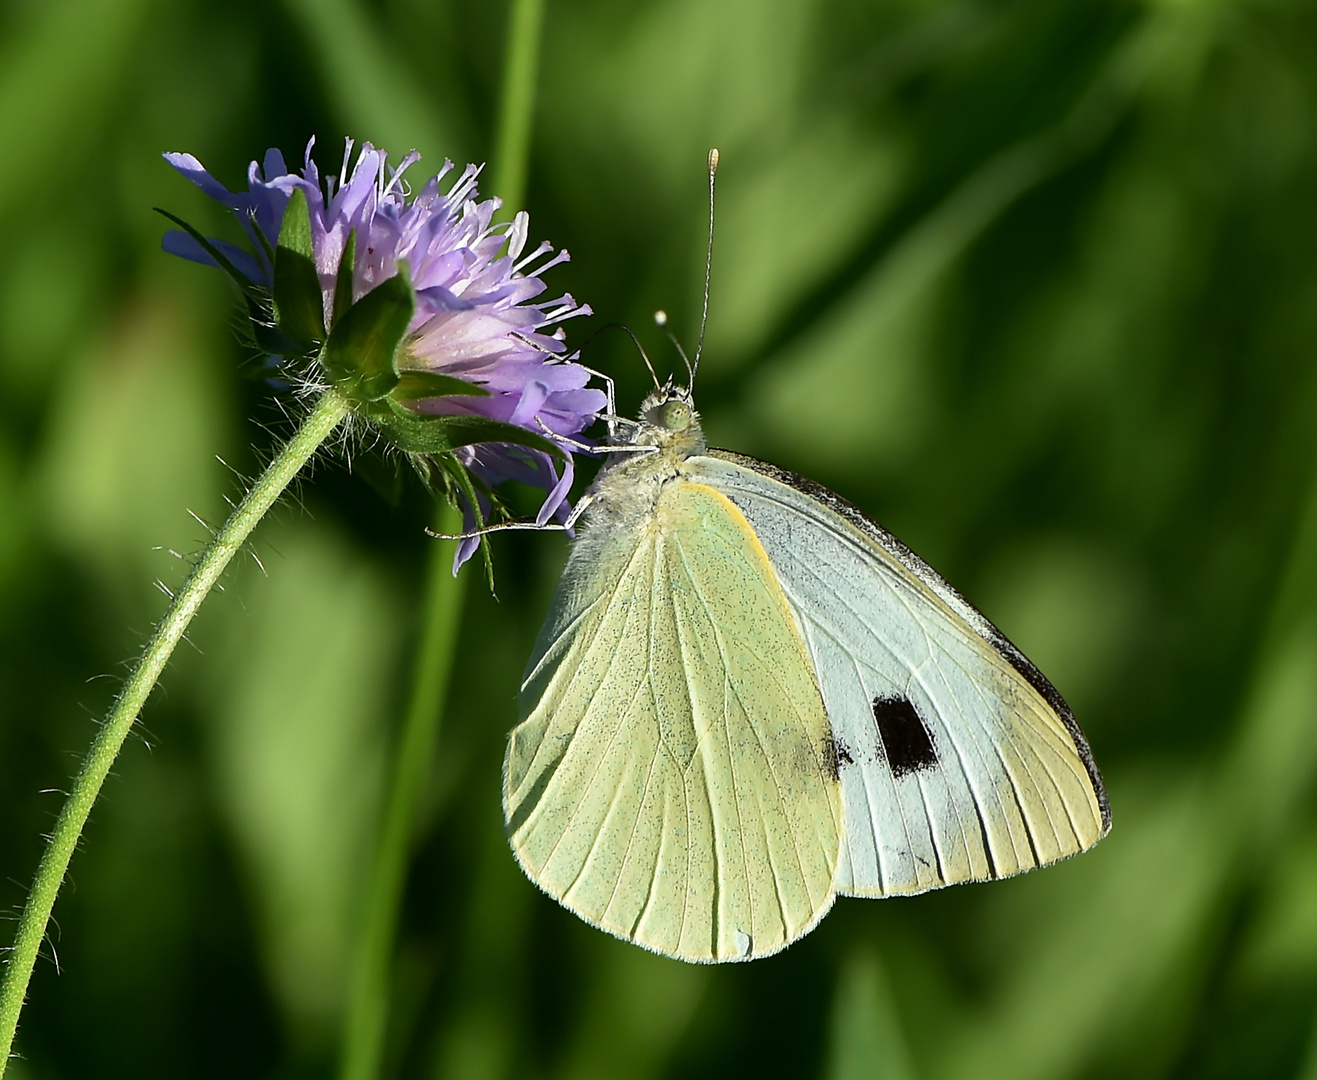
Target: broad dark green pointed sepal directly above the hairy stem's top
point(360, 355)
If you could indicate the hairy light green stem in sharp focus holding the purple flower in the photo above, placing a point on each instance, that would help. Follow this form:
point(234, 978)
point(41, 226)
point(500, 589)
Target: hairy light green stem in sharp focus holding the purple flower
point(55, 863)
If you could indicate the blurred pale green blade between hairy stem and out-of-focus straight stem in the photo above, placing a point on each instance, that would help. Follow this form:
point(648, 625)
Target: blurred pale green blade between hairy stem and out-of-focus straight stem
point(298, 746)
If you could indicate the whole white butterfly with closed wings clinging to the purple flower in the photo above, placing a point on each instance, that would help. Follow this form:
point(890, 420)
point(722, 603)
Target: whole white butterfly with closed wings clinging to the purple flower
point(749, 700)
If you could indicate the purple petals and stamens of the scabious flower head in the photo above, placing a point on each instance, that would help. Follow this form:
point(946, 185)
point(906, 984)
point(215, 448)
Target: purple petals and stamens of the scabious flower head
point(477, 314)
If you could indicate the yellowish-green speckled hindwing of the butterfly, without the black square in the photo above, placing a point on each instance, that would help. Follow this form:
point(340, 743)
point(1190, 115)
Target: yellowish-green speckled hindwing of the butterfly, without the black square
point(672, 780)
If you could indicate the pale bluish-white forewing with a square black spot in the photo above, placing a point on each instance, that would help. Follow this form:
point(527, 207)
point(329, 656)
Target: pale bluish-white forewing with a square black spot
point(958, 761)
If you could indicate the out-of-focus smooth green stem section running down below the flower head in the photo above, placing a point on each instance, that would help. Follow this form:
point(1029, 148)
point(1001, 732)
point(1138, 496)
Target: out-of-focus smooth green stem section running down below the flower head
point(368, 1019)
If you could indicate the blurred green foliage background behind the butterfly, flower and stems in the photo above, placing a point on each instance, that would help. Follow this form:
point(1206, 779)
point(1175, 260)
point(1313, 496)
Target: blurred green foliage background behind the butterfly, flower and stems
point(1033, 283)
